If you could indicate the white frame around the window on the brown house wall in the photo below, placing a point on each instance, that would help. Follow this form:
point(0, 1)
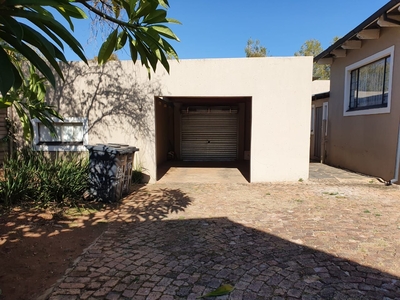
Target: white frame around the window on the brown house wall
point(389, 52)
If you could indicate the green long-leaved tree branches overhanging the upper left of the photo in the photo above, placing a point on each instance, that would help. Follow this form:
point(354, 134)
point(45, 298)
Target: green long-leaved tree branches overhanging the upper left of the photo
point(137, 24)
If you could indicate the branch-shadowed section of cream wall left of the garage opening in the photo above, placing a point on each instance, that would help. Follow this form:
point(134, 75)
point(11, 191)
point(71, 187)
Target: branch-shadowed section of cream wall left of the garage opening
point(115, 104)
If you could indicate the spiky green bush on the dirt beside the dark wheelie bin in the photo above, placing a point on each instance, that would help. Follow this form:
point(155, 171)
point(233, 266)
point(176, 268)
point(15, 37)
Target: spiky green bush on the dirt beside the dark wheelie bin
point(32, 176)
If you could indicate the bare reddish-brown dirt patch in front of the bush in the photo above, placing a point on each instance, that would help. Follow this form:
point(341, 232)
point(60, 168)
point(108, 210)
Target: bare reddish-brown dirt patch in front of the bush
point(37, 246)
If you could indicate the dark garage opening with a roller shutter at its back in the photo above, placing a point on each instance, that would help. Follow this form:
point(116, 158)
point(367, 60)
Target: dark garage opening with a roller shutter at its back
point(198, 133)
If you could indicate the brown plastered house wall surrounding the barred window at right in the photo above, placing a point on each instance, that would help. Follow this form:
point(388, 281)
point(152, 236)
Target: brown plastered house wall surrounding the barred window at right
point(367, 143)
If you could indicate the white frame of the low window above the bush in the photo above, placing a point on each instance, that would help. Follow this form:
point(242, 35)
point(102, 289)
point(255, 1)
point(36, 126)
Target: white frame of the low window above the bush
point(54, 146)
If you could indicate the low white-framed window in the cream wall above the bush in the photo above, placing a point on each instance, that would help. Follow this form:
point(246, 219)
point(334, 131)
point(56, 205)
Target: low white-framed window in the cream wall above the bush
point(71, 135)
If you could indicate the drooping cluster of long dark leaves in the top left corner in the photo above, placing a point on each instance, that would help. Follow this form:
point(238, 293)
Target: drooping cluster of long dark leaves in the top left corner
point(17, 21)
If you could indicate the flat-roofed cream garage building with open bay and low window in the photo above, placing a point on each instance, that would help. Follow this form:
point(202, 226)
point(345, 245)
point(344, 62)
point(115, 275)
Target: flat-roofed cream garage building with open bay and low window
point(252, 110)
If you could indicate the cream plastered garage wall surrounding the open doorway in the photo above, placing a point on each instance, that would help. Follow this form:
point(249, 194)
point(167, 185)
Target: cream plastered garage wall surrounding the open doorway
point(118, 100)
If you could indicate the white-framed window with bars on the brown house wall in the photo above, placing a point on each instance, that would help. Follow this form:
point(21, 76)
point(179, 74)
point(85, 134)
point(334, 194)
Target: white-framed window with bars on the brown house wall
point(368, 85)
